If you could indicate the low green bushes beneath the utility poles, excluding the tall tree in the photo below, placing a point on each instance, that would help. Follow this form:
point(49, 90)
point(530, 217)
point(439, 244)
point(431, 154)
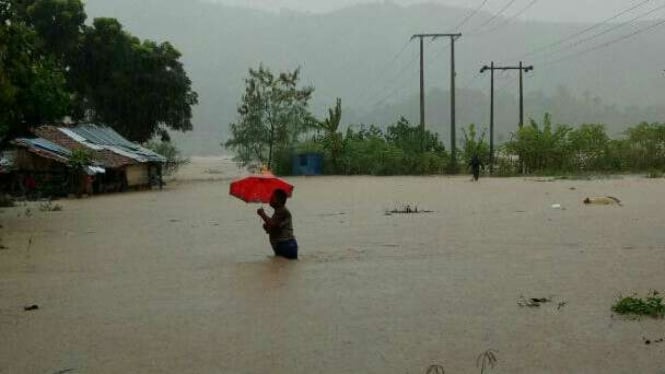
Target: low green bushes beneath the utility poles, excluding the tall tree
point(536, 148)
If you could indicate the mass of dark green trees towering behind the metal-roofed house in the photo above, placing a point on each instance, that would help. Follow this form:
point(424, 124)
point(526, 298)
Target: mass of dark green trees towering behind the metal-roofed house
point(54, 66)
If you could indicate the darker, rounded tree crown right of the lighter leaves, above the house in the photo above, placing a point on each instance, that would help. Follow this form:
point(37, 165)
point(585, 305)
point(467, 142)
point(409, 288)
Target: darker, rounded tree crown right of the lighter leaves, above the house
point(139, 88)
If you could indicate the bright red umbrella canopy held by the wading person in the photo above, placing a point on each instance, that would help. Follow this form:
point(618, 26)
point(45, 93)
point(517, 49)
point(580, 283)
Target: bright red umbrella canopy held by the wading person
point(259, 188)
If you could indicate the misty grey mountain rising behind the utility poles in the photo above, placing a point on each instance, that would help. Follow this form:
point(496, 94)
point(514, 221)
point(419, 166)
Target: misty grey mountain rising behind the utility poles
point(354, 53)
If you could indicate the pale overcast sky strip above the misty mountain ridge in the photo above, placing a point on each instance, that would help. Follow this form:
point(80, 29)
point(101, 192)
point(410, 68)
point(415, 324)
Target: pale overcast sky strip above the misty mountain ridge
point(549, 10)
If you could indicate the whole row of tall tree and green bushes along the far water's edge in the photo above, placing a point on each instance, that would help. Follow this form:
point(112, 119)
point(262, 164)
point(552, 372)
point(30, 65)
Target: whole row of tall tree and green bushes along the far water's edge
point(274, 124)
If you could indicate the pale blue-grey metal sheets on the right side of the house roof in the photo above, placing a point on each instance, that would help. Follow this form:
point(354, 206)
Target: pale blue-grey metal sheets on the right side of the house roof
point(110, 139)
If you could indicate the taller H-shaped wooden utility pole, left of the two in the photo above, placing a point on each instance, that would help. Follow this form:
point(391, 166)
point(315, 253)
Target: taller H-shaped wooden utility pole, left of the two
point(433, 36)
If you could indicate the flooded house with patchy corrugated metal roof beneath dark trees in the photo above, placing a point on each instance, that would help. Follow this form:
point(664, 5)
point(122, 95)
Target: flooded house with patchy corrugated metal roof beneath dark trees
point(116, 164)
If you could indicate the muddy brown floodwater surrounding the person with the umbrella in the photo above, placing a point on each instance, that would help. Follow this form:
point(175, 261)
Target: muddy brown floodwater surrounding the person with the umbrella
point(181, 280)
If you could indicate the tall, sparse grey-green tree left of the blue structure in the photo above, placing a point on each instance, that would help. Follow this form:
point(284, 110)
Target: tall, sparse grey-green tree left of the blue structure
point(273, 114)
